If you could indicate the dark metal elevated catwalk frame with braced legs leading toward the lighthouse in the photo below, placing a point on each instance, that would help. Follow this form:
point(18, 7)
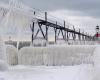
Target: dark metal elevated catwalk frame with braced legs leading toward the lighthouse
point(65, 32)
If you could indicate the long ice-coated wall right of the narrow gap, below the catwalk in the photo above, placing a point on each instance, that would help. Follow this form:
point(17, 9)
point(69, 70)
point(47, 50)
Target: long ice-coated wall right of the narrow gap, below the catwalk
point(56, 56)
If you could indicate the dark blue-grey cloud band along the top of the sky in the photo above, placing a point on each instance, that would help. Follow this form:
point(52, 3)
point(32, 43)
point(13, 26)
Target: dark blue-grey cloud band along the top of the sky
point(88, 7)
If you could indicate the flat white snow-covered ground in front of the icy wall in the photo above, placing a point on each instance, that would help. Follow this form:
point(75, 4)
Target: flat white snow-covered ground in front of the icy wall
point(81, 72)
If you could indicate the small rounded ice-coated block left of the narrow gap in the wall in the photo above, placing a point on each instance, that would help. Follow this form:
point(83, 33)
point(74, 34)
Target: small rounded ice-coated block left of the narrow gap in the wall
point(12, 55)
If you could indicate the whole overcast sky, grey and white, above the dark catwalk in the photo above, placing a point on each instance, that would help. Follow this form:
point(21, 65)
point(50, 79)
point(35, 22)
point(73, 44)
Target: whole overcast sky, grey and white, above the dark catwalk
point(83, 13)
